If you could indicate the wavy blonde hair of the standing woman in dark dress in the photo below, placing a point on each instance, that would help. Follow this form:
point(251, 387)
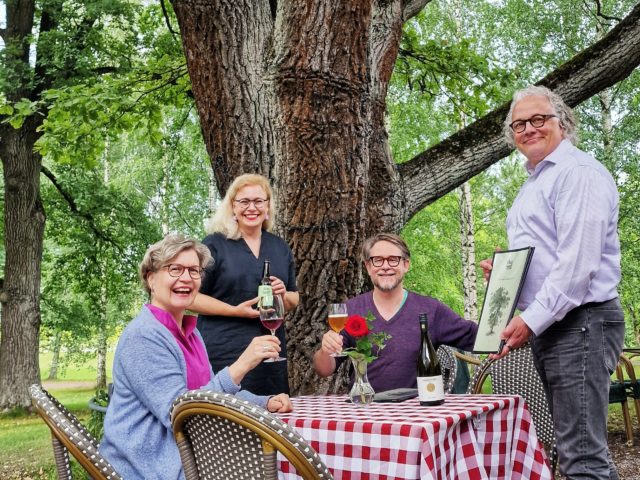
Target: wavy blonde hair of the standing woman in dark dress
point(223, 220)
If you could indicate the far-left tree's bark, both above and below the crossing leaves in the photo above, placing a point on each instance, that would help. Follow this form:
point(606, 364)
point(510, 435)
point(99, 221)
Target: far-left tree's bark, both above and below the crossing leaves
point(24, 215)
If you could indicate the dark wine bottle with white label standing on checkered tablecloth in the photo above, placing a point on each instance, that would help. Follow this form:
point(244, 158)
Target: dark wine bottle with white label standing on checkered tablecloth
point(430, 387)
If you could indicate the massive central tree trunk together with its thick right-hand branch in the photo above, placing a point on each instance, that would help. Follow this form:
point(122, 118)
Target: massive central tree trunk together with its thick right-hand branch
point(299, 95)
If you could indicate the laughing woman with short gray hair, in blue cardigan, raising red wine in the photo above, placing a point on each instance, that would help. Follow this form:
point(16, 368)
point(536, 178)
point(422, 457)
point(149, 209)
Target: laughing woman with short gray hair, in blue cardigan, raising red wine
point(160, 355)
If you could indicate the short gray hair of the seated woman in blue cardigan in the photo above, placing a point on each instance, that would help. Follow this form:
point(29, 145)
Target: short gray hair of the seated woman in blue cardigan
point(160, 253)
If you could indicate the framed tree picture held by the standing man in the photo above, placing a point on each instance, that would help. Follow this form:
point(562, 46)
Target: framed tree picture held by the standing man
point(501, 297)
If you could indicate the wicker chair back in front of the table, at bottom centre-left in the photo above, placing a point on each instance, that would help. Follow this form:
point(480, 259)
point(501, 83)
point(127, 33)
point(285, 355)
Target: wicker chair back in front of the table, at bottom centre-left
point(220, 436)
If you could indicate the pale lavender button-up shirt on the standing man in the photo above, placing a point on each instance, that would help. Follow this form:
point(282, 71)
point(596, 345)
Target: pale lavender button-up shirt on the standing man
point(568, 210)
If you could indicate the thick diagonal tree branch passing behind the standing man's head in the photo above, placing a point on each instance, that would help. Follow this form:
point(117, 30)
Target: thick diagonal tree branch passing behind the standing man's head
point(447, 165)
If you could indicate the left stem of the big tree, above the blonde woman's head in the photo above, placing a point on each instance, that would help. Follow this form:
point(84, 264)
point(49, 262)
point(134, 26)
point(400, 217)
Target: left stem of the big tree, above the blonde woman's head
point(232, 42)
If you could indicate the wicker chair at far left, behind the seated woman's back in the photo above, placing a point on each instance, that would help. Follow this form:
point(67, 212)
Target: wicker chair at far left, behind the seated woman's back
point(69, 435)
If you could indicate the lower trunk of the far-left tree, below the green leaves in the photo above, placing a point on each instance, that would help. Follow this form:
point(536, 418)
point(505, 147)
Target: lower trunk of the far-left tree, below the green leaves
point(24, 228)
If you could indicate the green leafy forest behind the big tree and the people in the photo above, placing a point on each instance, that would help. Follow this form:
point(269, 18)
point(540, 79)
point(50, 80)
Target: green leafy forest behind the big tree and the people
point(123, 160)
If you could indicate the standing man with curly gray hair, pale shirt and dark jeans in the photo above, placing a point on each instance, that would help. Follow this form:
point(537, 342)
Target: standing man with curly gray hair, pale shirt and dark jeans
point(568, 210)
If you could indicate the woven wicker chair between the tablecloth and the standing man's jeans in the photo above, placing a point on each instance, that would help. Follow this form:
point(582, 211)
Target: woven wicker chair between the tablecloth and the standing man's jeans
point(516, 374)
